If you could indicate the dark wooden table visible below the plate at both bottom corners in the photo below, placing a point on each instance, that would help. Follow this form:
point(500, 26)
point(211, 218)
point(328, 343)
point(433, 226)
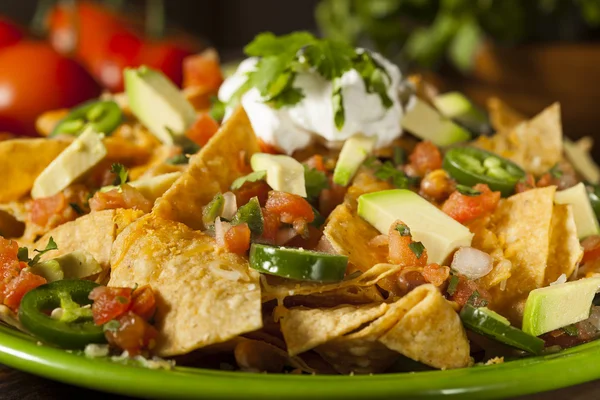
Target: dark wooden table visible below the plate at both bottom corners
point(16, 385)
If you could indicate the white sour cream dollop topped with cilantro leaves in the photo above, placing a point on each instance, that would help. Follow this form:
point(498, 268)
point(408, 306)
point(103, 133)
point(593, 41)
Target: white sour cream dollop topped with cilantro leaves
point(292, 128)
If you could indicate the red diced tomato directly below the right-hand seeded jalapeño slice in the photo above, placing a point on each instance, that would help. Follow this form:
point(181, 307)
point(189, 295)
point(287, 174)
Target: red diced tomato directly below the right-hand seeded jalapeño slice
point(465, 208)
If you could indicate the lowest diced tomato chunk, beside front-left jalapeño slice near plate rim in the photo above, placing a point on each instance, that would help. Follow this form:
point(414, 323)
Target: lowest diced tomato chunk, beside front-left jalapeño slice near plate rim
point(133, 334)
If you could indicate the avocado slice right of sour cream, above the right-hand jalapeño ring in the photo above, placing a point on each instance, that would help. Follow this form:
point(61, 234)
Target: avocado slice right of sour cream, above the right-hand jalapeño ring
point(427, 123)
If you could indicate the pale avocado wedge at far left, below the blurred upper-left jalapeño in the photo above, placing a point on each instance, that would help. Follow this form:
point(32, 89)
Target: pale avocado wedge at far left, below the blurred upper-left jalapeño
point(78, 158)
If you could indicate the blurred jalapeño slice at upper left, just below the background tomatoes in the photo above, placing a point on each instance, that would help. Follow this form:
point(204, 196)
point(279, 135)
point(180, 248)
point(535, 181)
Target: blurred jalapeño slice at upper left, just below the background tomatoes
point(104, 115)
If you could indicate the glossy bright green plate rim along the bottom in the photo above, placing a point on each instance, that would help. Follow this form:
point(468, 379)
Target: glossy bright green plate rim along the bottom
point(570, 367)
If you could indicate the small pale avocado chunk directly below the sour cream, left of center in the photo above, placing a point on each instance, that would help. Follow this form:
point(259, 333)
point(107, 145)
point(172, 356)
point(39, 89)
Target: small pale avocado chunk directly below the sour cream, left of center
point(283, 172)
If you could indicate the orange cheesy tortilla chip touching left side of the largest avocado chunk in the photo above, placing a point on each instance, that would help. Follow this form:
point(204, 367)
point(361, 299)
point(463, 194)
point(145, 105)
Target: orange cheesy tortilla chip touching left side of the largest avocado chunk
point(350, 235)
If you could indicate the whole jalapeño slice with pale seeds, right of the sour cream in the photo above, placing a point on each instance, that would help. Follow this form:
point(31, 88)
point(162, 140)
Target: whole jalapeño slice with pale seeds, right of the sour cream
point(470, 166)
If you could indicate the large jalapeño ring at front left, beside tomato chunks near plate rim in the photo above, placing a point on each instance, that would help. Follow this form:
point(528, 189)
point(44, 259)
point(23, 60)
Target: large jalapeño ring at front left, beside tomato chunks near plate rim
point(76, 329)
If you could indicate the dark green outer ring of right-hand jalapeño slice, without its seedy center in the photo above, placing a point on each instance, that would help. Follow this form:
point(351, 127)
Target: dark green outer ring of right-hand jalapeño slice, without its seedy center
point(464, 176)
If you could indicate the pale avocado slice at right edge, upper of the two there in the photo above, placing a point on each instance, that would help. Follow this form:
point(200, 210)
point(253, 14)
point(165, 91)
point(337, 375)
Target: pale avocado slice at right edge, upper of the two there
point(585, 219)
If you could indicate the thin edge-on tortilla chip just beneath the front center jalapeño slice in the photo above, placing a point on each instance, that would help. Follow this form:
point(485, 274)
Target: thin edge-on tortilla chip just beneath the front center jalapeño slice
point(287, 288)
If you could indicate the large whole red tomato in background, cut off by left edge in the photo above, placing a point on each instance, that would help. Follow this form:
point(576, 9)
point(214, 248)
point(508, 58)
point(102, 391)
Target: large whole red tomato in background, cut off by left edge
point(34, 78)
